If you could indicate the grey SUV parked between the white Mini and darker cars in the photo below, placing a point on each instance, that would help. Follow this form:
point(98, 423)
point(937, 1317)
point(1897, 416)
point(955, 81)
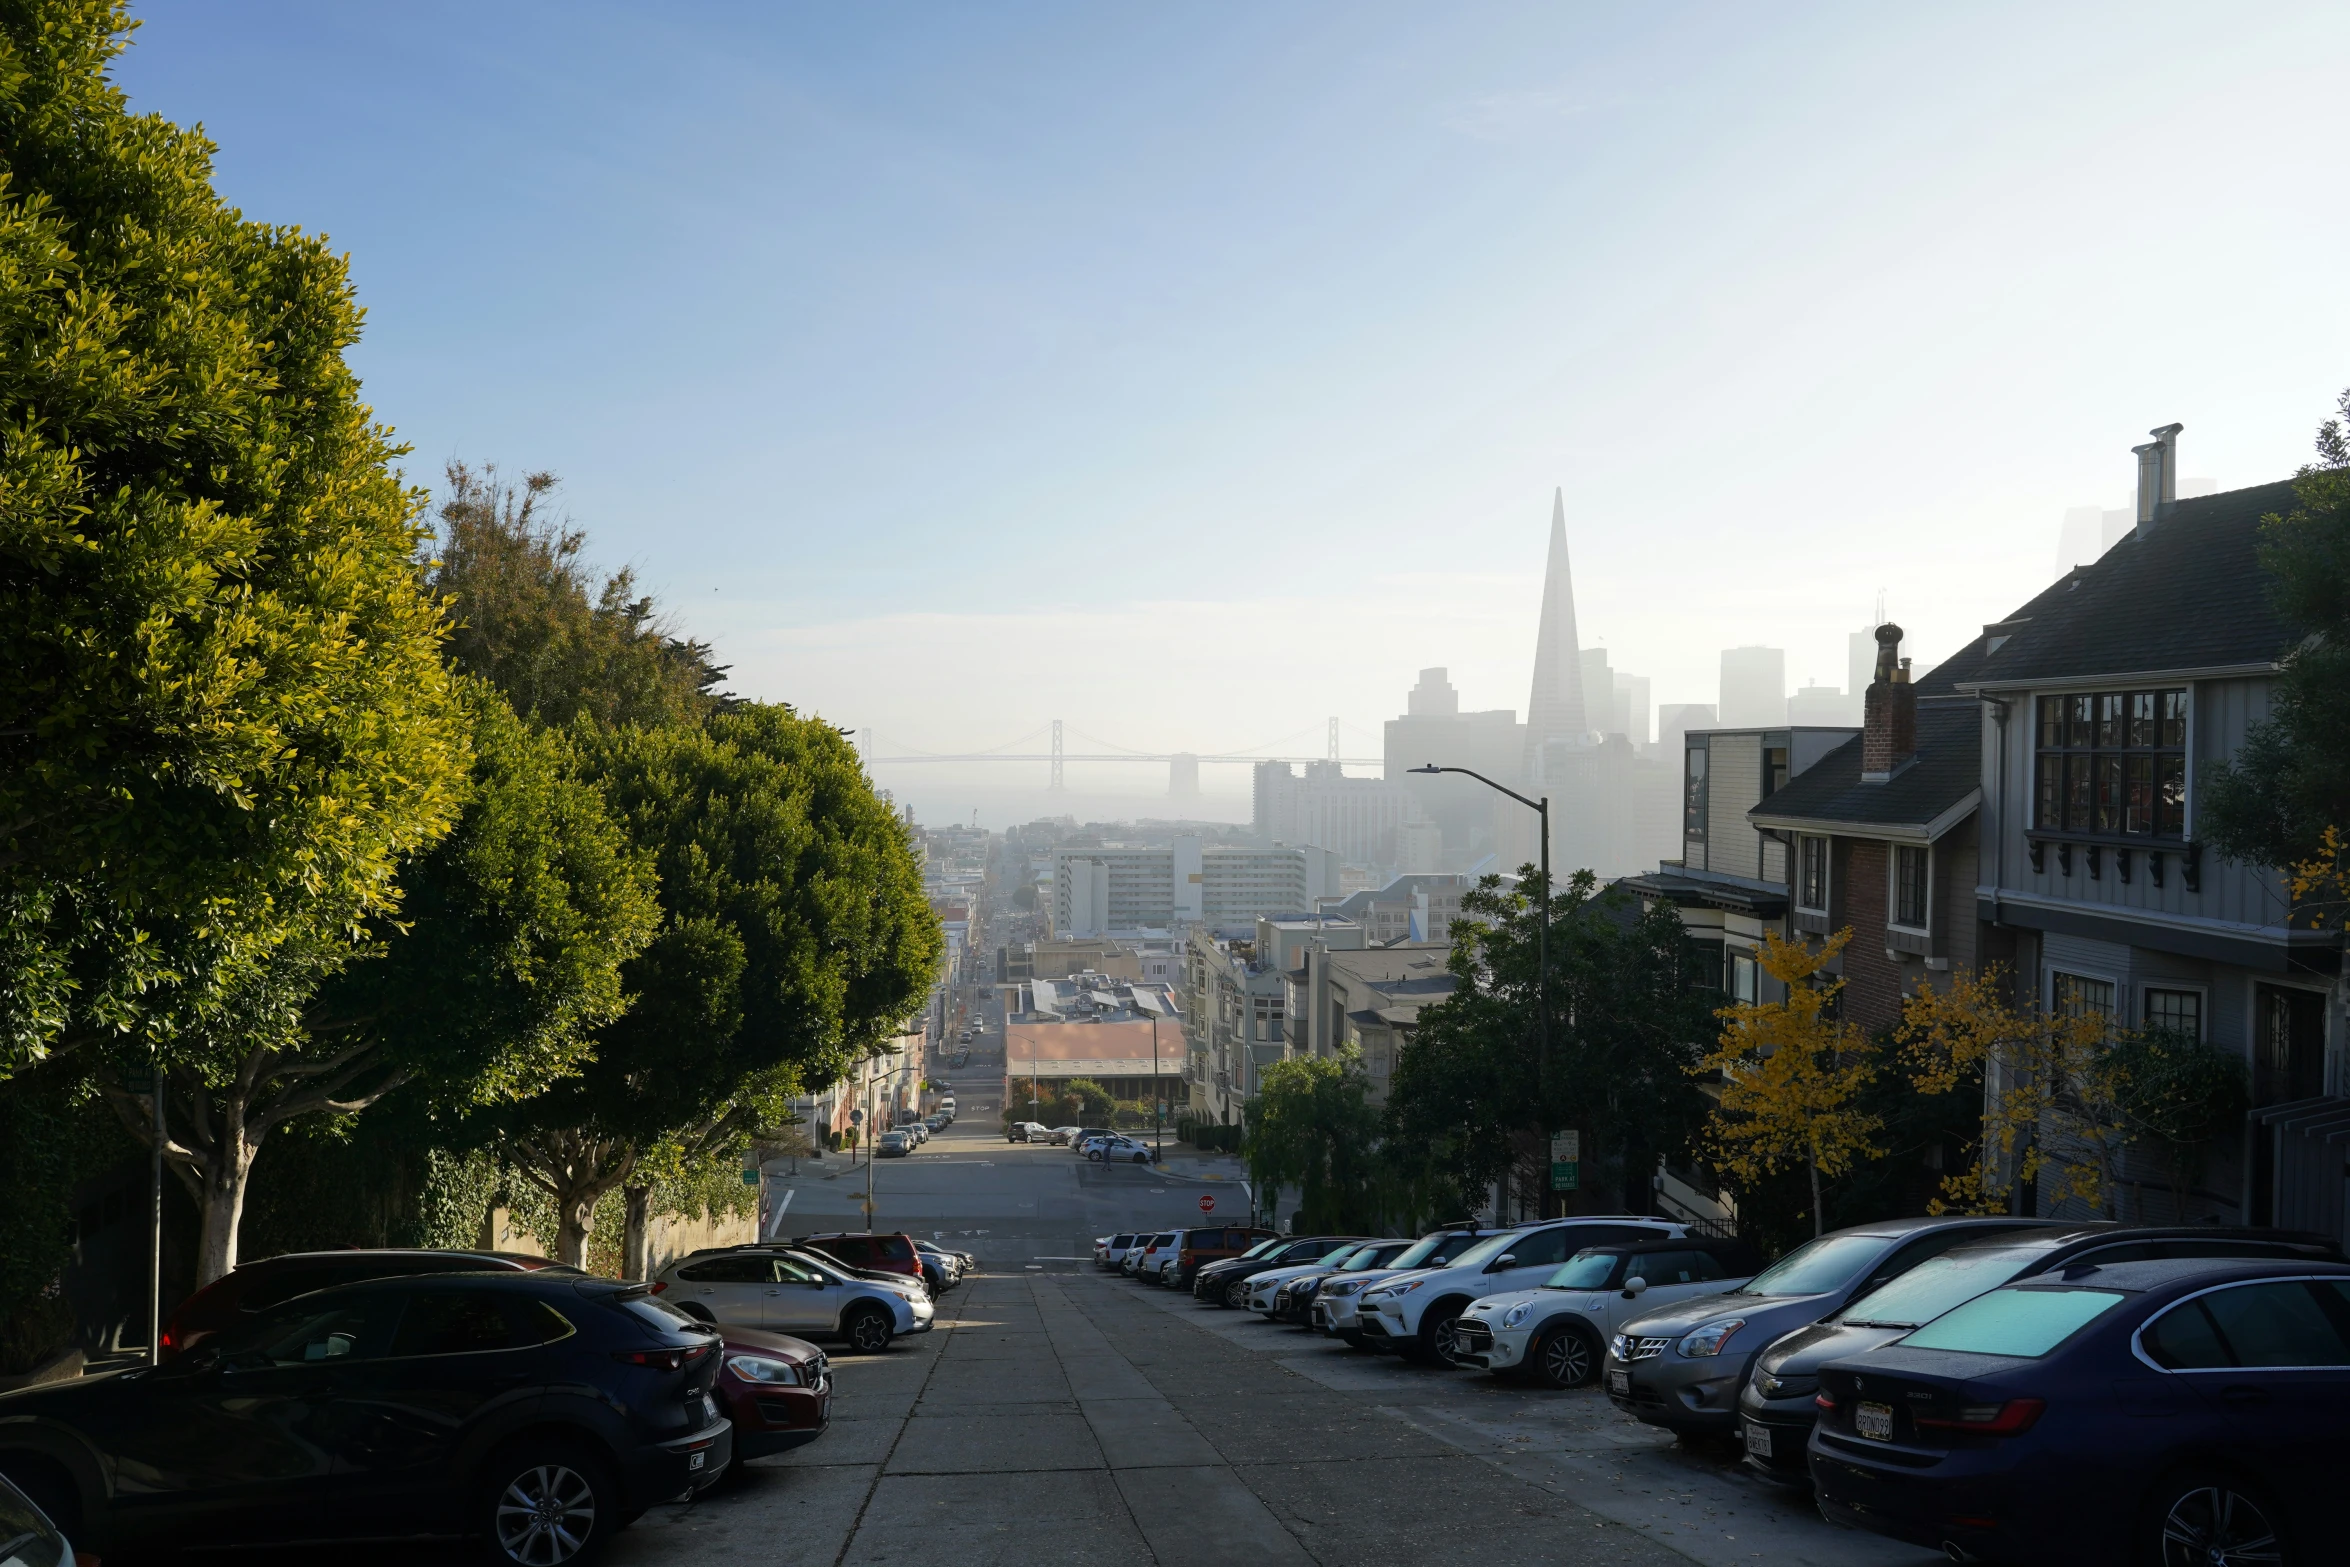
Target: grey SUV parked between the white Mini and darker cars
point(1684, 1366)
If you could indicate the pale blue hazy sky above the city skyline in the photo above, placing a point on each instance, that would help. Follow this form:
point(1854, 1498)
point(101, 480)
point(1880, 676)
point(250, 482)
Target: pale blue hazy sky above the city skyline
point(1200, 372)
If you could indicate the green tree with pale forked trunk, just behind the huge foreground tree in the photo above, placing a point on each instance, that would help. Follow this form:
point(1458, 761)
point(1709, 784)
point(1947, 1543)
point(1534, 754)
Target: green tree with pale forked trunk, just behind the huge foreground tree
point(504, 960)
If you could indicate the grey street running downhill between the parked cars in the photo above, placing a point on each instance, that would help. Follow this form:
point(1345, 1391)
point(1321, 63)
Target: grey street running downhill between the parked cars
point(1068, 1415)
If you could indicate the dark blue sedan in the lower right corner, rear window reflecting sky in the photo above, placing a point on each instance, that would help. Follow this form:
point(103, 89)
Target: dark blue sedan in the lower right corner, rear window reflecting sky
point(2182, 1413)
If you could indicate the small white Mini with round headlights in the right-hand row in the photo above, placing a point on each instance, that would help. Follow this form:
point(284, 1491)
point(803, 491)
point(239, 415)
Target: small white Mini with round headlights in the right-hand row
point(1557, 1333)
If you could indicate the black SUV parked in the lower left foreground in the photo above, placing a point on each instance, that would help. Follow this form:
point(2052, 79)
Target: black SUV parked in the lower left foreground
point(539, 1413)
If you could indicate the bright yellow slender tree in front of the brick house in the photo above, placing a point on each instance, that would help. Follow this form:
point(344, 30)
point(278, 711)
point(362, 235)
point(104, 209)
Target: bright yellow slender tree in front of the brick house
point(1794, 1077)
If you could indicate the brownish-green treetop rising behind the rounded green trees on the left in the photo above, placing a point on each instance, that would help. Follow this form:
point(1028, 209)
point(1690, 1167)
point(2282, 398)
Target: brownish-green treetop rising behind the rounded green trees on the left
point(537, 624)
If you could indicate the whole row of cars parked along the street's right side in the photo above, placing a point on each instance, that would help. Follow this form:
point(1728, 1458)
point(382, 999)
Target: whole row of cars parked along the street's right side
point(1992, 1387)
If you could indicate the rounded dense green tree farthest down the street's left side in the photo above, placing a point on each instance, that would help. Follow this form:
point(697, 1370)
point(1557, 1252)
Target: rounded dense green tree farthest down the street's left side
point(793, 943)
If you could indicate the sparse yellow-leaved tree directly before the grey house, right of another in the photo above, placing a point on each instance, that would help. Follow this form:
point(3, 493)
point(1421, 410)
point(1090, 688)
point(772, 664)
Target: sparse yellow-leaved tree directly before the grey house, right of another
point(2050, 1091)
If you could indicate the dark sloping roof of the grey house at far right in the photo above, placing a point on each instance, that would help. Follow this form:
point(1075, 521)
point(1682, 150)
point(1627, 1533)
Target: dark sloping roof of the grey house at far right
point(2182, 596)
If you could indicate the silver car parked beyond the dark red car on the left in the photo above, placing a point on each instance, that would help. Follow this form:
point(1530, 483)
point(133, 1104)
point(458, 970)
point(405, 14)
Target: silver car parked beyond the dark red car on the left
point(800, 1293)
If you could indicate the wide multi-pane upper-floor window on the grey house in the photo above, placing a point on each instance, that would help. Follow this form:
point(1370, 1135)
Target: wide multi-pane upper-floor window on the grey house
point(2114, 762)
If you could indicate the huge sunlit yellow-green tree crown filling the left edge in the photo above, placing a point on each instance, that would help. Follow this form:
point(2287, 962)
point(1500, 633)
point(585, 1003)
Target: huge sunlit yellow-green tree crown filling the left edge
point(224, 720)
